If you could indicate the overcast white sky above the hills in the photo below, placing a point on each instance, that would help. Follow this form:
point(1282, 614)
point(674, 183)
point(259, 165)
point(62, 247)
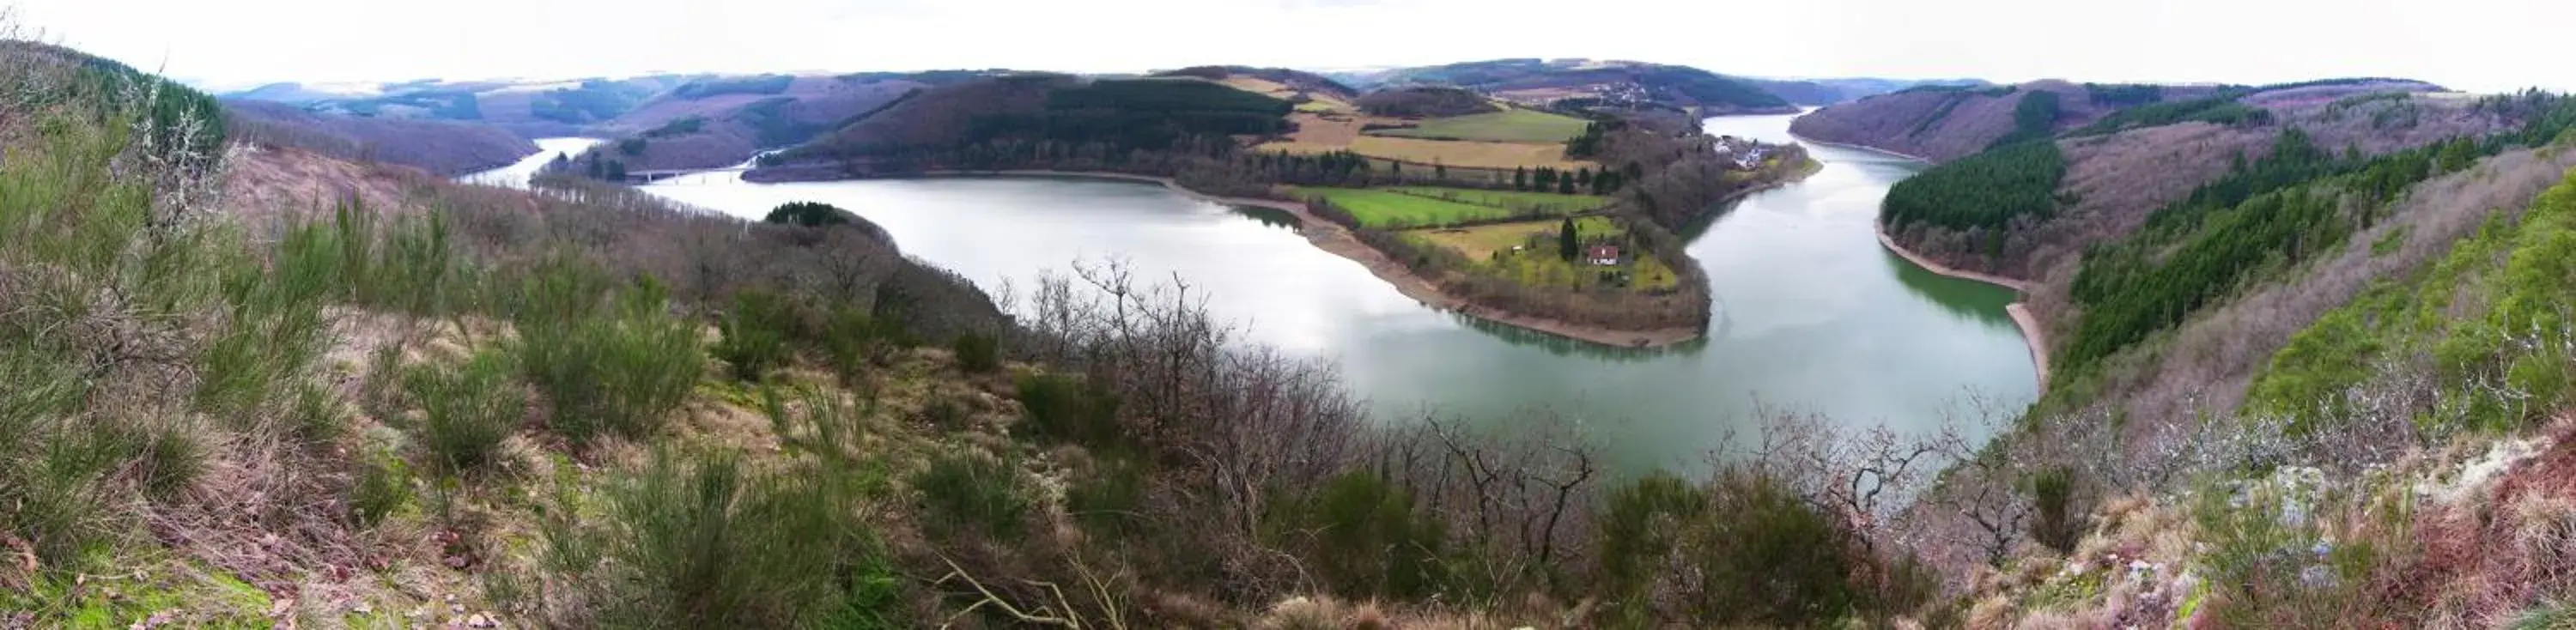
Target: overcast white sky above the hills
point(2469, 45)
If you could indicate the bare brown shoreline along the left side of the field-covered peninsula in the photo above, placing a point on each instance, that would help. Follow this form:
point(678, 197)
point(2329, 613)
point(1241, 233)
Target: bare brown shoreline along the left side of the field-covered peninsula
point(1343, 243)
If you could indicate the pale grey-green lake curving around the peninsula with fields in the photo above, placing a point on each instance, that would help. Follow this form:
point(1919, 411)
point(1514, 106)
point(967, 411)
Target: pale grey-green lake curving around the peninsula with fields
point(1810, 312)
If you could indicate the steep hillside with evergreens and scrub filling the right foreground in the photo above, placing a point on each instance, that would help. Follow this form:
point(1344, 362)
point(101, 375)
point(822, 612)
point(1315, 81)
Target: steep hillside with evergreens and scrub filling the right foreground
point(2374, 341)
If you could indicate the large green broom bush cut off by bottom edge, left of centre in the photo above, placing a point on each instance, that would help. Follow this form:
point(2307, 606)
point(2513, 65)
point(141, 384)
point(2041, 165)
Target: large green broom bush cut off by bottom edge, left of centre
point(707, 541)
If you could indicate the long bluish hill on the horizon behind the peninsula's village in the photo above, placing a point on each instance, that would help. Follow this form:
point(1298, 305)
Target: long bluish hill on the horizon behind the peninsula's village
point(1614, 84)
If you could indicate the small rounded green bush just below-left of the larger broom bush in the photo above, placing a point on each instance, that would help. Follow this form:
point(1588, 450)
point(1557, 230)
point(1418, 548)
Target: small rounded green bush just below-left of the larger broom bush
point(465, 410)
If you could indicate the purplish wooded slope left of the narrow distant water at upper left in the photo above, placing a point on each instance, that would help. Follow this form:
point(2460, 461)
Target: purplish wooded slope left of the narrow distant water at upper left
point(439, 148)
